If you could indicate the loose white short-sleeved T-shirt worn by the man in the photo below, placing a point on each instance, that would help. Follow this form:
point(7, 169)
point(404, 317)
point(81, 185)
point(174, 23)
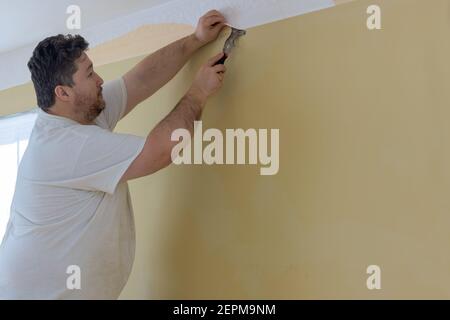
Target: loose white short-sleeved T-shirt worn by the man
point(69, 213)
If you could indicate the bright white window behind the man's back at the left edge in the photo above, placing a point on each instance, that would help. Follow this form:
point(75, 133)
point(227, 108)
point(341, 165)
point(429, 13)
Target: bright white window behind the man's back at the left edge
point(15, 131)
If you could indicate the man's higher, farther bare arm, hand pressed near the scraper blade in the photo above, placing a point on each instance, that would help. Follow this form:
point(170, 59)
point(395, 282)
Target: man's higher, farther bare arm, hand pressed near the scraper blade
point(152, 73)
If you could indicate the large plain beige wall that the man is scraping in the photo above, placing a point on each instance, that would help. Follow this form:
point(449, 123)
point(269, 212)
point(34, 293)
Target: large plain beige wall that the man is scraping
point(364, 165)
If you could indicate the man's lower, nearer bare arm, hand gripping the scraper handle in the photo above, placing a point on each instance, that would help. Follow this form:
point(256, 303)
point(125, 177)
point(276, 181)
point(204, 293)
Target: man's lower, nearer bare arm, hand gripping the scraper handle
point(157, 150)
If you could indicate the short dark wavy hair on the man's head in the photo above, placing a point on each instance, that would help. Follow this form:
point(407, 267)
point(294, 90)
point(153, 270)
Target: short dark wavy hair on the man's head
point(53, 64)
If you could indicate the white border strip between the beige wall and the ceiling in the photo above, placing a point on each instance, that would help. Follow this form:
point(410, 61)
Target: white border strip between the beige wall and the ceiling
point(239, 13)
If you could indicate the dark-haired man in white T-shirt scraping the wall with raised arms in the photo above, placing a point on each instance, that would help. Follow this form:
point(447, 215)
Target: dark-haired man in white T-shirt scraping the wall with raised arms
point(71, 214)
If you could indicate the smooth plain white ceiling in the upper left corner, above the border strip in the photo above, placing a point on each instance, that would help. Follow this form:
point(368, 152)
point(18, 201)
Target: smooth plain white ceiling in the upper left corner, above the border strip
point(25, 21)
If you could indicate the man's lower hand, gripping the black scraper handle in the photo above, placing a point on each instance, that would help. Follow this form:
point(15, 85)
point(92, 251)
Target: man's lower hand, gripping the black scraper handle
point(209, 80)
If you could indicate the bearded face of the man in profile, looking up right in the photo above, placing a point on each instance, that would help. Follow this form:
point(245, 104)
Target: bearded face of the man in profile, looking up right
point(88, 98)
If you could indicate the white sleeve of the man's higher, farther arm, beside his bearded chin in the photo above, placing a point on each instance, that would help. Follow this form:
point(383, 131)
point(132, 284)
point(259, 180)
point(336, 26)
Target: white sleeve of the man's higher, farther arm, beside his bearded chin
point(115, 96)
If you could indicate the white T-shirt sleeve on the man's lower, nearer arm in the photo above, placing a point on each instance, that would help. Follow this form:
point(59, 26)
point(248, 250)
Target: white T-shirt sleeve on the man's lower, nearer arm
point(102, 160)
